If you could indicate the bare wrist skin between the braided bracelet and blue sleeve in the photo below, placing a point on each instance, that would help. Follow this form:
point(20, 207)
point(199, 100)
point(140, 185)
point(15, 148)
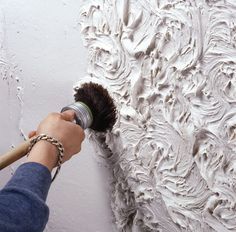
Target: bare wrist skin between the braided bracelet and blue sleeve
point(44, 153)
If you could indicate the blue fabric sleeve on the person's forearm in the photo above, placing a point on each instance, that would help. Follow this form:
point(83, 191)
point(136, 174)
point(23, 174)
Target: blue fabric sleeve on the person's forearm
point(22, 200)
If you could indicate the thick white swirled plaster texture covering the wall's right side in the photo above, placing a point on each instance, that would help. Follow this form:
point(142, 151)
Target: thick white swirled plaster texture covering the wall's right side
point(170, 65)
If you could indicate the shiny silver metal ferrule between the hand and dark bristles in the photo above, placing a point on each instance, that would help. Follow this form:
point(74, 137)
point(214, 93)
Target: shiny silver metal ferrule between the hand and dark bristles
point(84, 116)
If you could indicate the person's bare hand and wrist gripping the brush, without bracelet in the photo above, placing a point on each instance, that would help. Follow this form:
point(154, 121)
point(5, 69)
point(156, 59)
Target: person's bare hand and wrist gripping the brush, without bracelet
point(61, 127)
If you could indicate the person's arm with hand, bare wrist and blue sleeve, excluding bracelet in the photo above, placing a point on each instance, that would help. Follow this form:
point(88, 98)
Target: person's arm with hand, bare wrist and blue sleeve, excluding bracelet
point(22, 200)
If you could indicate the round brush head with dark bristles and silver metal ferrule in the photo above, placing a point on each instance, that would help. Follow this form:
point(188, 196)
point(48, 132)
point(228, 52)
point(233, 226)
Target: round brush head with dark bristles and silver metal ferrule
point(94, 107)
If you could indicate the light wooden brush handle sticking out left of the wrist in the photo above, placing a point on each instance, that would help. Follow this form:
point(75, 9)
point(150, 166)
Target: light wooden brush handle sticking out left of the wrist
point(14, 154)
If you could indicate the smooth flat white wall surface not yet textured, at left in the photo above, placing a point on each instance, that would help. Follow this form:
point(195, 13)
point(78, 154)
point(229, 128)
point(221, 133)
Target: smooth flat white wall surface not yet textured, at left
point(44, 58)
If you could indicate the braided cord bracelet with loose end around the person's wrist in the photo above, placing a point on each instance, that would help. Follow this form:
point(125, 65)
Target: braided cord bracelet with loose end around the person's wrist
point(54, 142)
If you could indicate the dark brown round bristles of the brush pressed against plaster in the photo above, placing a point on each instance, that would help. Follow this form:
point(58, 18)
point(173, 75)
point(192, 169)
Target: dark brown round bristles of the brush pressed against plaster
point(100, 103)
